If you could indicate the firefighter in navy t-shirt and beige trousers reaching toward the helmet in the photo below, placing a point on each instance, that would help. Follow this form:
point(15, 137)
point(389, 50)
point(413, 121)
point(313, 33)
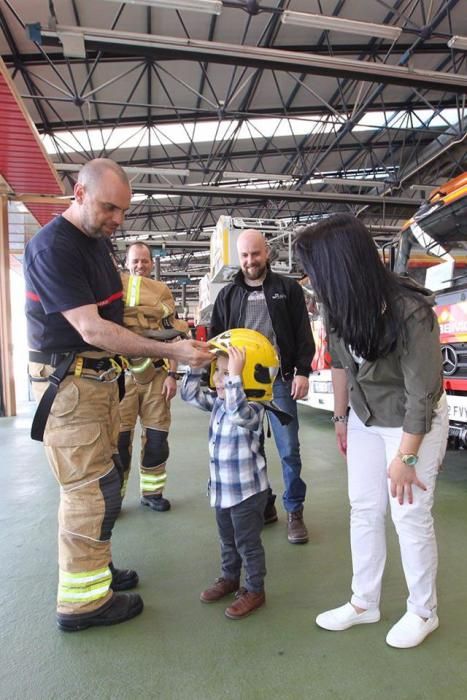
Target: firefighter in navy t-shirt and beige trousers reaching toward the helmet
point(74, 310)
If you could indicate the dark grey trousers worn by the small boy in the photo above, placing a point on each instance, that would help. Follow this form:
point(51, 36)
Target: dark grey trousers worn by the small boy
point(240, 535)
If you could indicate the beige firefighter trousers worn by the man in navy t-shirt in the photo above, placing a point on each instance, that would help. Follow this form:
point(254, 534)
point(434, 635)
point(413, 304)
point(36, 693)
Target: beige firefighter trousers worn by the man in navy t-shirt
point(80, 440)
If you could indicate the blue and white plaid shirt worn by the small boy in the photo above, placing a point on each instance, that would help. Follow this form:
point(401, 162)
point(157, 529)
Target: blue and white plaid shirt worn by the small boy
point(237, 464)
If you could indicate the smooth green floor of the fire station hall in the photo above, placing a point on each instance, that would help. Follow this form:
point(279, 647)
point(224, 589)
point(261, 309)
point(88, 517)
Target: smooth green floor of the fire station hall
point(180, 649)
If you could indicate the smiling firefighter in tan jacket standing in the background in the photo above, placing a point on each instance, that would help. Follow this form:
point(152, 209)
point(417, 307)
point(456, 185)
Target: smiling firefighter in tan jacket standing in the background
point(149, 385)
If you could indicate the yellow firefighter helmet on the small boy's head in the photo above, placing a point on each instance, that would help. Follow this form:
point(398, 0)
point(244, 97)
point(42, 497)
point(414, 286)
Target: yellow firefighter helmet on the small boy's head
point(261, 361)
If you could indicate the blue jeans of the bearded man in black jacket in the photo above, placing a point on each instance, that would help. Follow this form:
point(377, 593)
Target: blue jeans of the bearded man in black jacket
point(288, 446)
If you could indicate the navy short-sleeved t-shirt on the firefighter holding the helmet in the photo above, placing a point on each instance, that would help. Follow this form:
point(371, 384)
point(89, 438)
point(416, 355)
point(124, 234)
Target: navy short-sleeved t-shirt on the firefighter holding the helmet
point(65, 269)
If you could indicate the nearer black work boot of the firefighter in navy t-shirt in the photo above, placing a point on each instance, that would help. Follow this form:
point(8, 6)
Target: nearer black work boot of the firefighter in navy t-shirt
point(120, 608)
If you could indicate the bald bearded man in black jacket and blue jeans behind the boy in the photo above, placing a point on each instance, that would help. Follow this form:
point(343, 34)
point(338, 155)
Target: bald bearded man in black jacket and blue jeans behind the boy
point(274, 305)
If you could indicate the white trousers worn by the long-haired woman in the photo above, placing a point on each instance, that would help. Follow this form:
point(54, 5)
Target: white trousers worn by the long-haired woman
point(369, 453)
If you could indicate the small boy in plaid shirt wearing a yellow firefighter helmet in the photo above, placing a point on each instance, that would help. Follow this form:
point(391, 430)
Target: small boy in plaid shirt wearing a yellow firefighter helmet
point(238, 482)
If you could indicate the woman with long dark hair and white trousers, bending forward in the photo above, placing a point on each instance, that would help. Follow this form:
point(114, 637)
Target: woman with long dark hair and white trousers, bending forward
point(386, 366)
